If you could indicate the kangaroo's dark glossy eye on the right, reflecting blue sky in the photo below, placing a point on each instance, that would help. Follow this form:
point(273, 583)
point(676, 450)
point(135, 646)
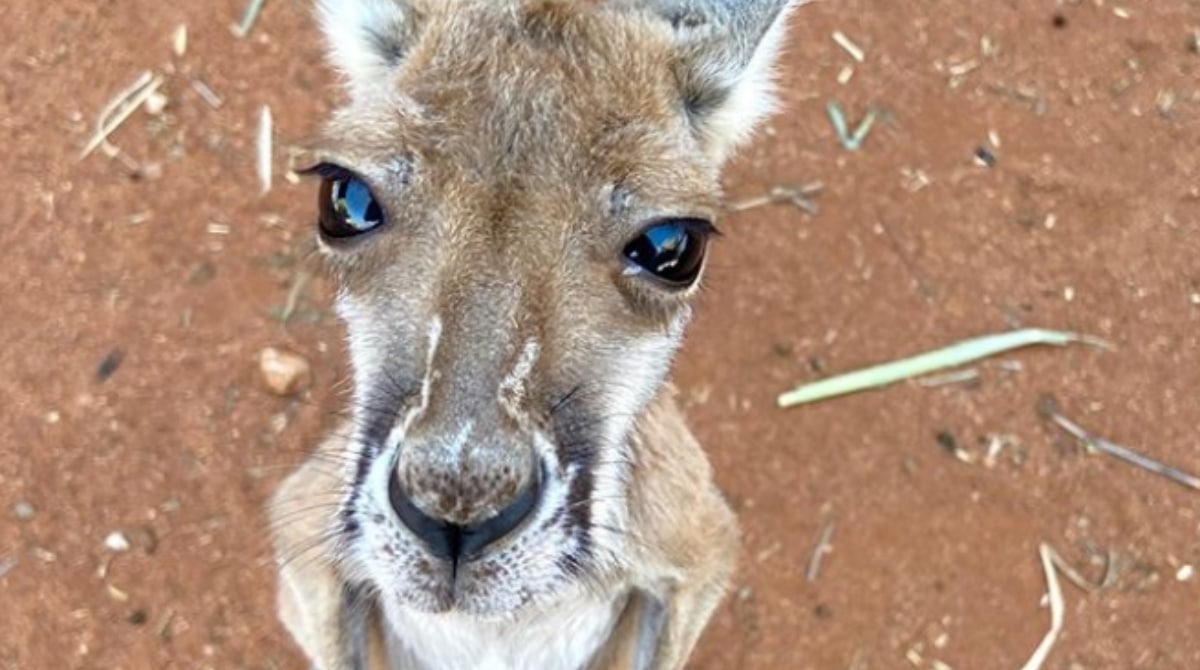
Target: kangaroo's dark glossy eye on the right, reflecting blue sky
point(673, 252)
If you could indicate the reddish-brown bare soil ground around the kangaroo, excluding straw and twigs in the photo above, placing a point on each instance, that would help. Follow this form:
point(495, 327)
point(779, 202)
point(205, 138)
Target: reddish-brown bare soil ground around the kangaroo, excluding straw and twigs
point(932, 558)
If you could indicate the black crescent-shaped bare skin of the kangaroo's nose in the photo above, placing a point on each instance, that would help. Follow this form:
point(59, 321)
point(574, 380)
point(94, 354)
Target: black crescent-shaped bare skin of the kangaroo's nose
point(455, 542)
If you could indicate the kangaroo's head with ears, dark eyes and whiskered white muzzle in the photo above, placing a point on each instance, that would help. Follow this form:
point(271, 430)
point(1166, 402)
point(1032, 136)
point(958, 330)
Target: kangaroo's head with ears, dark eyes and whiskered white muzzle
point(517, 205)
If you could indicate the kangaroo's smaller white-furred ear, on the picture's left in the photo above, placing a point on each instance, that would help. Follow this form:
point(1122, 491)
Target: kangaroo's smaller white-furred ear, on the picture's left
point(368, 40)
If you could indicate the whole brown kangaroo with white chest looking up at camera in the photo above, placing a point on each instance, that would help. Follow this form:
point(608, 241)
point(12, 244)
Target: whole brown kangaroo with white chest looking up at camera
point(515, 206)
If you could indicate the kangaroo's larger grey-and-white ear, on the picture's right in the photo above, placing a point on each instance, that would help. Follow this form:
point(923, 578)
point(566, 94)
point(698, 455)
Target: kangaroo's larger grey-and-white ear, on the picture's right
point(725, 65)
